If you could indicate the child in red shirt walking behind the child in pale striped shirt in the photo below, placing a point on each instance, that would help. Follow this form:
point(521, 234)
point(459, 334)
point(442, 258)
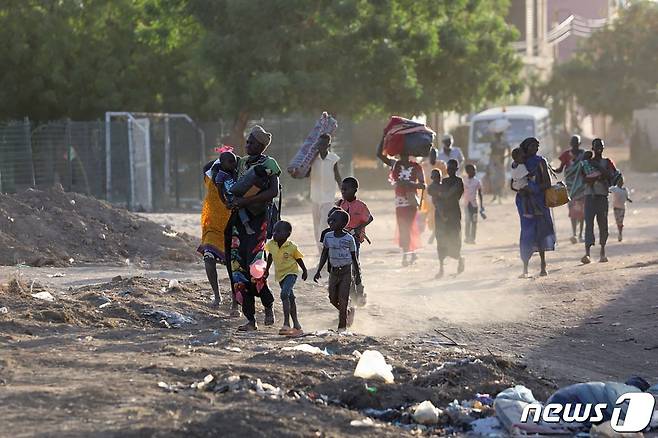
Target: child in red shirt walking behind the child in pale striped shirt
point(360, 218)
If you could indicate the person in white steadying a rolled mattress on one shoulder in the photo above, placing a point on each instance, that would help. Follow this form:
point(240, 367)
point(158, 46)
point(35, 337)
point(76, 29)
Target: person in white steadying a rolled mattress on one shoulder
point(325, 177)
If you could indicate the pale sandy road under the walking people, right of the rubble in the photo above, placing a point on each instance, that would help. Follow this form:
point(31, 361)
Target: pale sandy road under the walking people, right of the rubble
point(581, 322)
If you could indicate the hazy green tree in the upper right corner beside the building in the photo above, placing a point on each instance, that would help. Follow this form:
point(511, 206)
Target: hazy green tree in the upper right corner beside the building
point(616, 69)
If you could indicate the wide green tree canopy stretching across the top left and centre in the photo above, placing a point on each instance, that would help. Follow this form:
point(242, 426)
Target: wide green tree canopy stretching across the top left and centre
point(245, 58)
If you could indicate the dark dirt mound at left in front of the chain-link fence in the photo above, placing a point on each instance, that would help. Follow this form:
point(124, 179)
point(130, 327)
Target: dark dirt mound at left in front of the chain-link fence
point(51, 227)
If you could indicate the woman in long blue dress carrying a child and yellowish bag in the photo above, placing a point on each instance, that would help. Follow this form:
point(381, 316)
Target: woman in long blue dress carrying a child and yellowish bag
point(537, 232)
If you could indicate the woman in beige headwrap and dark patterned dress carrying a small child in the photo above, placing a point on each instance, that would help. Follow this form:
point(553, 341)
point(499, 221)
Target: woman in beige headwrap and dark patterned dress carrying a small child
point(247, 254)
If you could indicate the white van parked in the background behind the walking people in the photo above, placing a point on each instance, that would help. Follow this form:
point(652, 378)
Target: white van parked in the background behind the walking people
point(524, 121)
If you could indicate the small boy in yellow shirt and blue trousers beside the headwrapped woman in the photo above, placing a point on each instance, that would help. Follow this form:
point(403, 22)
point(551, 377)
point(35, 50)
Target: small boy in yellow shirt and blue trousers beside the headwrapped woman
point(287, 260)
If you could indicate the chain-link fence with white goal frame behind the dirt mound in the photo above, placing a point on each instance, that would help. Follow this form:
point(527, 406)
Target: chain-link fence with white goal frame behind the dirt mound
point(140, 161)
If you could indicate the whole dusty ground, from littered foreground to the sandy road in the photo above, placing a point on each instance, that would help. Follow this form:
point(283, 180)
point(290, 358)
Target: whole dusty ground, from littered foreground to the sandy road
point(71, 368)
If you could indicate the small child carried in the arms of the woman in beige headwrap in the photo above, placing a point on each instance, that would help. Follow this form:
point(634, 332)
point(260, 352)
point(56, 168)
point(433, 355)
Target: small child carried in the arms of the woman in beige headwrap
point(230, 187)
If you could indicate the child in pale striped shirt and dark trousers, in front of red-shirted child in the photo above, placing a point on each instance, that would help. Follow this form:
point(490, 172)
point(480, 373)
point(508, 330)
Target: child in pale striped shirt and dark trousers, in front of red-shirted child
point(340, 249)
